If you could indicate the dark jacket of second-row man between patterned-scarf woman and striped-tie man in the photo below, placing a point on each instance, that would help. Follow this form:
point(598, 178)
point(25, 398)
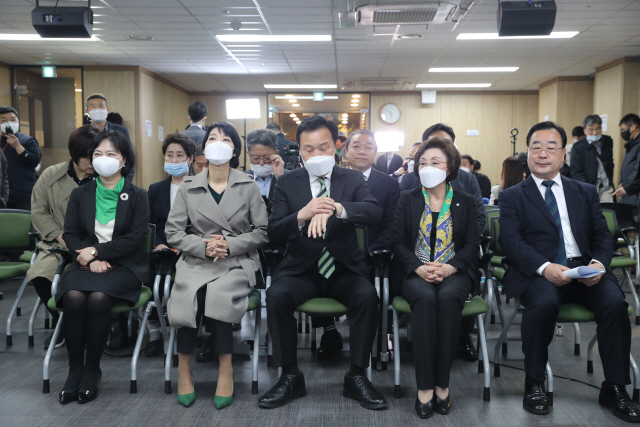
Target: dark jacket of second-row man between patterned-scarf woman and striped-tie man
point(386, 191)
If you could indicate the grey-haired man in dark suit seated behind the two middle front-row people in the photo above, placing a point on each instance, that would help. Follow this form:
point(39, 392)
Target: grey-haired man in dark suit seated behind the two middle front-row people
point(360, 150)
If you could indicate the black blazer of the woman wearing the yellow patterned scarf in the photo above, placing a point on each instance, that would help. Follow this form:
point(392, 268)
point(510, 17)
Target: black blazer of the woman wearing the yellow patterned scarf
point(465, 236)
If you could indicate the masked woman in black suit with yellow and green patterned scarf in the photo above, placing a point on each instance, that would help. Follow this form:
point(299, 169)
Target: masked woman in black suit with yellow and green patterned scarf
point(437, 243)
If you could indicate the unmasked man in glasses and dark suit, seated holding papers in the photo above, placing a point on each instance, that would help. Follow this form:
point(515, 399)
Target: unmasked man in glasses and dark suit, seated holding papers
point(549, 224)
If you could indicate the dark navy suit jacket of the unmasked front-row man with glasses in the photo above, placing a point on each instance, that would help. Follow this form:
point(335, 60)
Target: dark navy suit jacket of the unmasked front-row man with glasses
point(529, 236)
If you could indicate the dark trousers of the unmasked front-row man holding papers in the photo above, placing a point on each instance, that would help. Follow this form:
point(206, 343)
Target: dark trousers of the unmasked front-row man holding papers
point(542, 300)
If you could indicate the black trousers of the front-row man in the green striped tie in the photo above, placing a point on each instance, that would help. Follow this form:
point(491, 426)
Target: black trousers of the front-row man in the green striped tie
point(350, 289)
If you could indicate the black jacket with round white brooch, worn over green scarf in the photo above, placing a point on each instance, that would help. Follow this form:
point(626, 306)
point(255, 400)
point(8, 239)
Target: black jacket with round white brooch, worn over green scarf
point(129, 233)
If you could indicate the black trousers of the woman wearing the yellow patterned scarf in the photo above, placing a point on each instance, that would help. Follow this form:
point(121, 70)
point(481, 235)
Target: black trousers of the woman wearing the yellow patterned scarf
point(436, 312)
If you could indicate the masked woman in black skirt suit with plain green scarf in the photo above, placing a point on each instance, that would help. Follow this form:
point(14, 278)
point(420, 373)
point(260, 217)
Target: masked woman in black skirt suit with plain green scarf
point(105, 227)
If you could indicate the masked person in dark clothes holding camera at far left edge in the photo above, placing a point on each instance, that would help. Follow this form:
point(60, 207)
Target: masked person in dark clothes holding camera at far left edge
point(22, 154)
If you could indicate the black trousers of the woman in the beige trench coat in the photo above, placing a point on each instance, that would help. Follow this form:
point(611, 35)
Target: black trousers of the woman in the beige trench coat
point(221, 332)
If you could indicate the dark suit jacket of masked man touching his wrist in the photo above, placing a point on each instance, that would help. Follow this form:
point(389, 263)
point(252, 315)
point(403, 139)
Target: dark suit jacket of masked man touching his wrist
point(293, 193)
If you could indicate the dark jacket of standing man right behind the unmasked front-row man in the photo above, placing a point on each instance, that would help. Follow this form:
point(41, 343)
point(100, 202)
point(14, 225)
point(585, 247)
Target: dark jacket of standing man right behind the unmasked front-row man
point(584, 161)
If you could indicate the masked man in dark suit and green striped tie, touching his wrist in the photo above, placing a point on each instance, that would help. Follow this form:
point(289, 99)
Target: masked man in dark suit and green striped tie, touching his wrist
point(315, 210)
